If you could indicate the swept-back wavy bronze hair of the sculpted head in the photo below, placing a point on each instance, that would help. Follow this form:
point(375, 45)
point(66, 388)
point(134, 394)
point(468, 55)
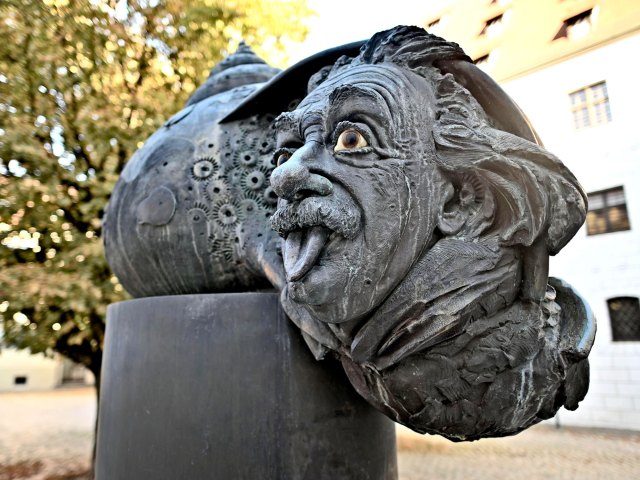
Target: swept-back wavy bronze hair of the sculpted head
point(539, 196)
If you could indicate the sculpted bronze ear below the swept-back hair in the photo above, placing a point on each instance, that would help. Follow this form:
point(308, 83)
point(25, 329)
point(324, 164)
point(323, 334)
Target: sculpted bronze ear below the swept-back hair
point(468, 208)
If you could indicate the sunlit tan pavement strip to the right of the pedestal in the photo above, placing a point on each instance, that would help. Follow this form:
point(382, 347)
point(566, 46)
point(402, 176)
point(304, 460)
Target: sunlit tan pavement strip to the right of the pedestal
point(541, 452)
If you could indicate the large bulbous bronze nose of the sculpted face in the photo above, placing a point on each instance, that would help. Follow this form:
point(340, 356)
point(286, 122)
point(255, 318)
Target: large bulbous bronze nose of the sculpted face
point(293, 180)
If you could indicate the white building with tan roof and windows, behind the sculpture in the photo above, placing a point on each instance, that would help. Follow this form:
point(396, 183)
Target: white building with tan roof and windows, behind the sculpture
point(570, 65)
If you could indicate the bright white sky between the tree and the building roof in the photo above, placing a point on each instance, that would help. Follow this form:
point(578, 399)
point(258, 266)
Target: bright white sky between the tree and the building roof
point(343, 21)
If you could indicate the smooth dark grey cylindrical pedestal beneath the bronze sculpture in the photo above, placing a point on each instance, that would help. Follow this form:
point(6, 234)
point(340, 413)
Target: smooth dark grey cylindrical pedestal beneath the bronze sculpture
point(222, 386)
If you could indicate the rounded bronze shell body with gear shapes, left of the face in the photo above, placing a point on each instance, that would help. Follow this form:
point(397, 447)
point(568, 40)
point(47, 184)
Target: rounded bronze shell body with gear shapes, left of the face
point(177, 216)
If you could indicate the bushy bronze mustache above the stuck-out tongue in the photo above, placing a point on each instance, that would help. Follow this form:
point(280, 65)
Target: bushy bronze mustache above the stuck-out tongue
point(342, 218)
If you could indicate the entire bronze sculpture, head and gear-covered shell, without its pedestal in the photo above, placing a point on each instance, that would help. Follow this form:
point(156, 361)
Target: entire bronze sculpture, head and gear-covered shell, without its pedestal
point(417, 210)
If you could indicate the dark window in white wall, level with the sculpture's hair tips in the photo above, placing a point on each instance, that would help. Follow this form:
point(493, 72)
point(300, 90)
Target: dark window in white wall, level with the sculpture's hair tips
point(607, 212)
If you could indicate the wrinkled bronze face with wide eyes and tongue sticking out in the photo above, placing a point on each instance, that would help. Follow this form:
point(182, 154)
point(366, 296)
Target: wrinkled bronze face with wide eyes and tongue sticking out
point(359, 192)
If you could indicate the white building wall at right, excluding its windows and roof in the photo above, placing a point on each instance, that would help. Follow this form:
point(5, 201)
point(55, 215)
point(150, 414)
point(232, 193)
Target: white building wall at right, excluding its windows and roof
point(599, 266)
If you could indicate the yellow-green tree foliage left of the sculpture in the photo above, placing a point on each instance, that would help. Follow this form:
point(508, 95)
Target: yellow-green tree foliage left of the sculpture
point(82, 84)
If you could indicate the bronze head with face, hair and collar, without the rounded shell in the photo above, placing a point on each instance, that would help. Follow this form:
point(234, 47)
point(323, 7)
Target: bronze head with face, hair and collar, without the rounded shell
point(418, 216)
